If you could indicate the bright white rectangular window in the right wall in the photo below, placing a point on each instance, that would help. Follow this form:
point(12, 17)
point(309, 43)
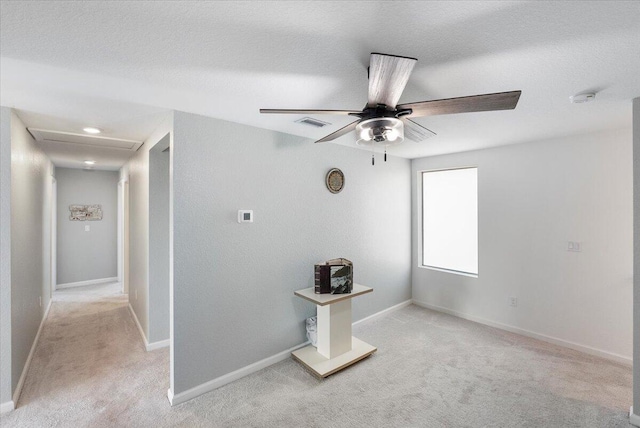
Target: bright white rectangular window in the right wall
point(450, 220)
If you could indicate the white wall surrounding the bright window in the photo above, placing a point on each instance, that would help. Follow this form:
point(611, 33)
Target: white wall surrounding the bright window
point(533, 199)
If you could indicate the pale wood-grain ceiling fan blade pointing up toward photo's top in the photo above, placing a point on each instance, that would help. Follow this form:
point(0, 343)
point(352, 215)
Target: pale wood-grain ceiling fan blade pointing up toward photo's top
point(388, 75)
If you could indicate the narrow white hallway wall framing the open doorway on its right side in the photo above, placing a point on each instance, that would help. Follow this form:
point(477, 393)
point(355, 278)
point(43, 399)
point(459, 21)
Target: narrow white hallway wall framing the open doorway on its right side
point(136, 172)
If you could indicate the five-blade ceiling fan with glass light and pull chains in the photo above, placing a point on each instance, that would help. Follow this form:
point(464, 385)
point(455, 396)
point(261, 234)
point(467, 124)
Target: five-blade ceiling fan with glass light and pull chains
point(384, 122)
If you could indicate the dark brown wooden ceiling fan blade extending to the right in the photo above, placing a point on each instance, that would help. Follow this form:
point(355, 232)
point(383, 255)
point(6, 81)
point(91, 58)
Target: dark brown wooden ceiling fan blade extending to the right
point(485, 102)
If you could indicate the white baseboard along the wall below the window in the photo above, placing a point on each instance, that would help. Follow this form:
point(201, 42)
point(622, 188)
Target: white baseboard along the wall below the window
point(554, 340)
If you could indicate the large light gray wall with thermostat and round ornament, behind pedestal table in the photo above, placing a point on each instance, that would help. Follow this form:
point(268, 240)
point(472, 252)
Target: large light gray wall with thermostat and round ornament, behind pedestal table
point(233, 301)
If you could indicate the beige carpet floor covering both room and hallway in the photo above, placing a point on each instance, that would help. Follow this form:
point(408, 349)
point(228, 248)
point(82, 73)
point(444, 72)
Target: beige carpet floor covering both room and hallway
point(431, 370)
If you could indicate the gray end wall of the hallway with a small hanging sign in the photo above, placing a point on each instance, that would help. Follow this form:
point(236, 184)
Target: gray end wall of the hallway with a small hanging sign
point(85, 256)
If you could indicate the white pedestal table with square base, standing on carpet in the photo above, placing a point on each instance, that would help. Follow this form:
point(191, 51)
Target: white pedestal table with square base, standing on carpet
point(337, 349)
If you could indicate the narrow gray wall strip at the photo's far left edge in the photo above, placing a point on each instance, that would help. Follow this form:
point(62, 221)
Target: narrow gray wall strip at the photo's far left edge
point(5, 255)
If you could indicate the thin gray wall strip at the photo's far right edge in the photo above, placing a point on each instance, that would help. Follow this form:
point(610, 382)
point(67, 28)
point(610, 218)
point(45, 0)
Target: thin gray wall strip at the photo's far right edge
point(636, 256)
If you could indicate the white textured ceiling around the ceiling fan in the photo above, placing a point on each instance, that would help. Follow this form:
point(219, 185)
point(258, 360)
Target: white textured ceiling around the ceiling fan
point(119, 65)
